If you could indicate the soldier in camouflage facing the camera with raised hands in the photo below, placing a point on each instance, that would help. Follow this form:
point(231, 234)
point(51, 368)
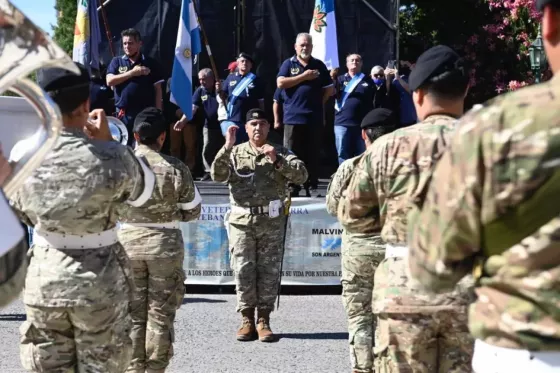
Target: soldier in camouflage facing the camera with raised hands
point(257, 172)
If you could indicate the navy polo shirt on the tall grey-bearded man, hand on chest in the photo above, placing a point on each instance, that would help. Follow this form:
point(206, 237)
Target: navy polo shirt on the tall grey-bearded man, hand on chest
point(307, 97)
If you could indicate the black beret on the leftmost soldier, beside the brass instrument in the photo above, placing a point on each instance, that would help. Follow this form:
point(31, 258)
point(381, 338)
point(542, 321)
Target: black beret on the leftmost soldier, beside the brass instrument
point(55, 80)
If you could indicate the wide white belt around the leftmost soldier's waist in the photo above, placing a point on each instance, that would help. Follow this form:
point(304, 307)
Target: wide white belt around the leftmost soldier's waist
point(69, 241)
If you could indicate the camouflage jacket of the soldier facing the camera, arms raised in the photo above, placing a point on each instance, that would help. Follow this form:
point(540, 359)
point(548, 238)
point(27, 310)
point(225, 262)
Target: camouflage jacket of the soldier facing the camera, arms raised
point(253, 179)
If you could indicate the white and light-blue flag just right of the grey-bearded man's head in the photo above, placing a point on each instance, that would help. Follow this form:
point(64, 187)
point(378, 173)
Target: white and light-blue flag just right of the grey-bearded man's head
point(323, 32)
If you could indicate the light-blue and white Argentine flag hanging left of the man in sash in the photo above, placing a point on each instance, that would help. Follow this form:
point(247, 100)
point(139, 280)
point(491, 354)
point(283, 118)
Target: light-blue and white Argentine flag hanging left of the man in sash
point(187, 47)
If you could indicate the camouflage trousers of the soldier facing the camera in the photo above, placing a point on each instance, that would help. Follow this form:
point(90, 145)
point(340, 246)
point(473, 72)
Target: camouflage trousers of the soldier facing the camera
point(255, 251)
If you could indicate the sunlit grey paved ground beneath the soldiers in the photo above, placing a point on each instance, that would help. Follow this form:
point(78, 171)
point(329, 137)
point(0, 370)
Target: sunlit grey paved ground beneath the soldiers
point(313, 337)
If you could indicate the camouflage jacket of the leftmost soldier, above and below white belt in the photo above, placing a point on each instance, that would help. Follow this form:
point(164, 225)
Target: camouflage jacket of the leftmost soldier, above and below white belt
point(74, 191)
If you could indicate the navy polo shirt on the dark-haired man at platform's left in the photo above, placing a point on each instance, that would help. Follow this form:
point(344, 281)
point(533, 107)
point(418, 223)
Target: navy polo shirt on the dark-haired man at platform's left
point(136, 93)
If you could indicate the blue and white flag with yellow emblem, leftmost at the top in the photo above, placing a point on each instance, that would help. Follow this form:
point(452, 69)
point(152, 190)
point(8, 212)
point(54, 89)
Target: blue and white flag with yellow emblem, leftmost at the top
point(87, 35)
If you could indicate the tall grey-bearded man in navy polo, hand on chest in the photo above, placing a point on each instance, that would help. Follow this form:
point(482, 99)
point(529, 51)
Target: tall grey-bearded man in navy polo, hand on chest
point(307, 85)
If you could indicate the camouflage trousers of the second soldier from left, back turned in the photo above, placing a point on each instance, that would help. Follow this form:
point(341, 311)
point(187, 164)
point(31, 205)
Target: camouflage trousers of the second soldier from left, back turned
point(159, 293)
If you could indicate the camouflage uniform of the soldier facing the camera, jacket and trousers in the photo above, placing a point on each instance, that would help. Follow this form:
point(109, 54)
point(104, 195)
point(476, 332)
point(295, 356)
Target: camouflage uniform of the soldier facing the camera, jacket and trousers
point(255, 239)
